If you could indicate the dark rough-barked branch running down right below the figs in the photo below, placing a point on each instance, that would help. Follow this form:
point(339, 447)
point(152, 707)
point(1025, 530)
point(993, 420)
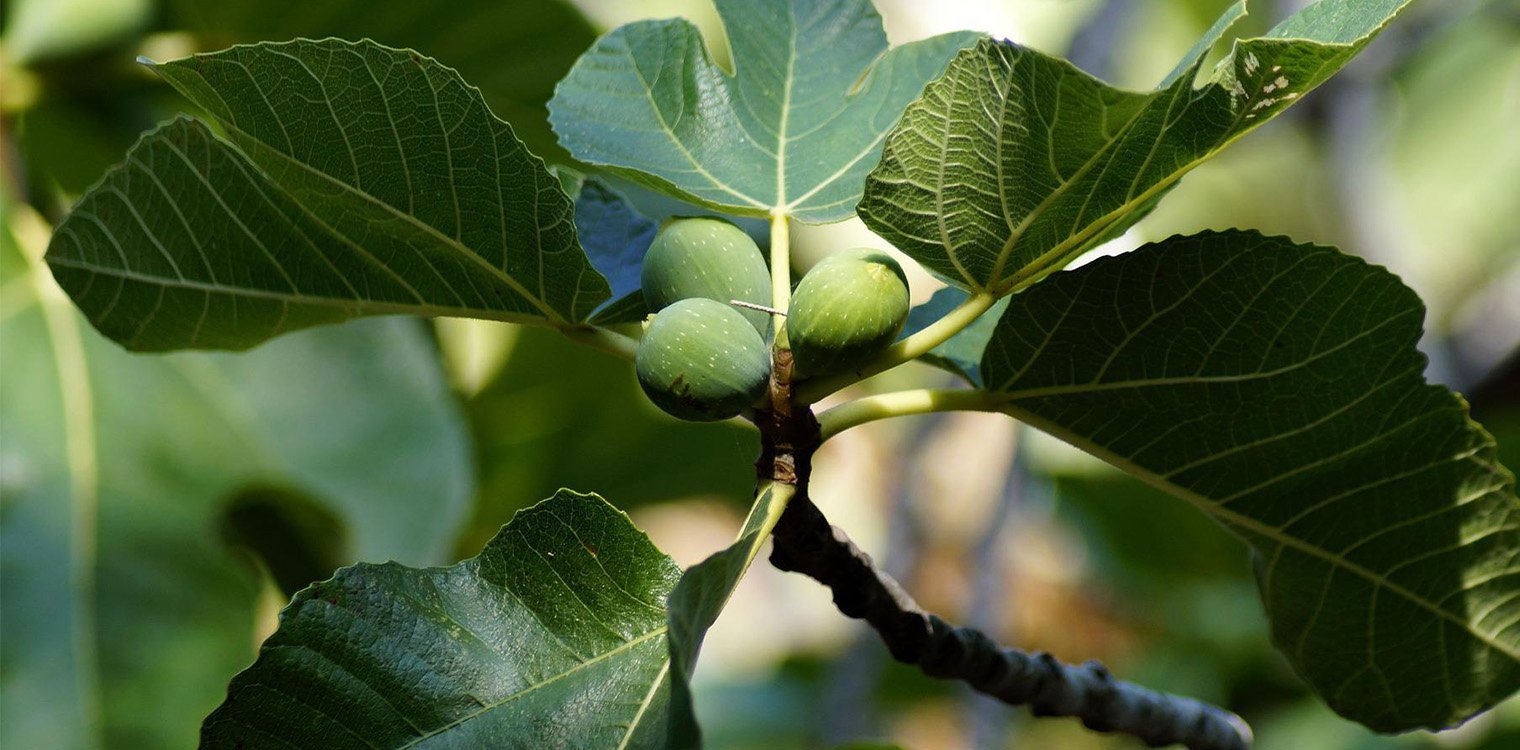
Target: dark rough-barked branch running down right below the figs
point(805, 542)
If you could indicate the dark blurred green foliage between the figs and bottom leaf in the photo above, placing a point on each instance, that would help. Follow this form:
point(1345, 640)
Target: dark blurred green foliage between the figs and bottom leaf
point(560, 415)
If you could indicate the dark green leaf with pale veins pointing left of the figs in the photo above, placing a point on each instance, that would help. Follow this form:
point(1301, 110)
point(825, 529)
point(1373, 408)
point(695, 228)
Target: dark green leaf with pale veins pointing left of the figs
point(353, 180)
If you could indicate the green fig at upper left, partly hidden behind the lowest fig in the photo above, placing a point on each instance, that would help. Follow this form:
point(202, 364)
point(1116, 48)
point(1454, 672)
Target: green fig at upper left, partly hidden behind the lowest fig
point(711, 259)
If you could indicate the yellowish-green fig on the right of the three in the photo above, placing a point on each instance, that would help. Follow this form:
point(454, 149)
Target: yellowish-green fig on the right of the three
point(849, 308)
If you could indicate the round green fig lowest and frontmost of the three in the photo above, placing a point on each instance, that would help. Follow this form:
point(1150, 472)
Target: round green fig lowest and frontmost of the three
point(703, 361)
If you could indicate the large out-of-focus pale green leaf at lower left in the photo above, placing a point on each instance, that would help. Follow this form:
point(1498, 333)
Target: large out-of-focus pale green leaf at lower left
point(124, 614)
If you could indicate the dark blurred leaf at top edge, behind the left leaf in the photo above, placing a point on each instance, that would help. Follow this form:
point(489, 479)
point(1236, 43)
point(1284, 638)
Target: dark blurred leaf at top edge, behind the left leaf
point(516, 51)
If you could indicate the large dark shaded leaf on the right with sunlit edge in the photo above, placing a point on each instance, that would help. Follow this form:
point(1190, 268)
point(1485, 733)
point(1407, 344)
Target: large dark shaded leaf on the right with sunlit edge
point(1278, 387)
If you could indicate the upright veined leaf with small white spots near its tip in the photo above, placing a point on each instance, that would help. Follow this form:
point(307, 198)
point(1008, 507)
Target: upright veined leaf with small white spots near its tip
point(1015, 164)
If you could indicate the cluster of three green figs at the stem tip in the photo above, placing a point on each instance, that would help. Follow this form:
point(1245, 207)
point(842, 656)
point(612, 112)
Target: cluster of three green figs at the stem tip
point(706, 354)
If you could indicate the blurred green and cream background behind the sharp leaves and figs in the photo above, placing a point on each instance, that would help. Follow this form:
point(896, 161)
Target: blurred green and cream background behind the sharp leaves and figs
point(223, 483)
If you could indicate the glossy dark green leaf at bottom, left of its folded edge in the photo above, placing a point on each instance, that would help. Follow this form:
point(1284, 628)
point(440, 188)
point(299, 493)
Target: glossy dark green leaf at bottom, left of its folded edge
point(553, 637)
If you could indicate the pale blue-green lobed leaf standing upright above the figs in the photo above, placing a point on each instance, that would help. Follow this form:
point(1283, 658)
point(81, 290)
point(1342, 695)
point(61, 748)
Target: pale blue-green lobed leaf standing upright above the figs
point(793, 130)
